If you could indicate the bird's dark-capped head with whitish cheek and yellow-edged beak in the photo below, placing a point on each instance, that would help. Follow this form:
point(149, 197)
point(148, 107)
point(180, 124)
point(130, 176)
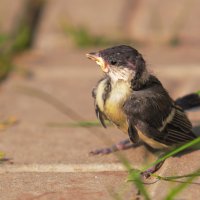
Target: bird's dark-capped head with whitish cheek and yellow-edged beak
point(119, 62)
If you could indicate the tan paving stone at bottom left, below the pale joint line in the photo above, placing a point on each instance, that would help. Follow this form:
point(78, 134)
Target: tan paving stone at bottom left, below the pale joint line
point(57, 186)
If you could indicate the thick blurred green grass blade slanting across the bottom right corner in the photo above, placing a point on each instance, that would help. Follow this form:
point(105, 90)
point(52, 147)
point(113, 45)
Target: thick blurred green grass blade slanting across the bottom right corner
point(175, 191)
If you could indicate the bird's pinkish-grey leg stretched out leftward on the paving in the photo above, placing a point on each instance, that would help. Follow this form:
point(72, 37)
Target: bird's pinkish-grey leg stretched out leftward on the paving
point(122, 145)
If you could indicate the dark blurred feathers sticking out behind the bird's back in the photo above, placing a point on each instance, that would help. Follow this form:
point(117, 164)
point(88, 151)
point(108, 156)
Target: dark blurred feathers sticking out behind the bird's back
point(189, 101)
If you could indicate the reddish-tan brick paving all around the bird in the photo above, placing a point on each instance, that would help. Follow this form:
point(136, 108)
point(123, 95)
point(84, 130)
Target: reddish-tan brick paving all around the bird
point(53, 162)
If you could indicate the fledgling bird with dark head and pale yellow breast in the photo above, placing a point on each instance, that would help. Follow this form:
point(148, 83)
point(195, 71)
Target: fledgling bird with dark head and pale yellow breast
point(135, 101)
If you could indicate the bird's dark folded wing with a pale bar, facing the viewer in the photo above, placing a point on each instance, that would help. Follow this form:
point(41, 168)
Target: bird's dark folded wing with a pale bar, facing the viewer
point(154, 114)
